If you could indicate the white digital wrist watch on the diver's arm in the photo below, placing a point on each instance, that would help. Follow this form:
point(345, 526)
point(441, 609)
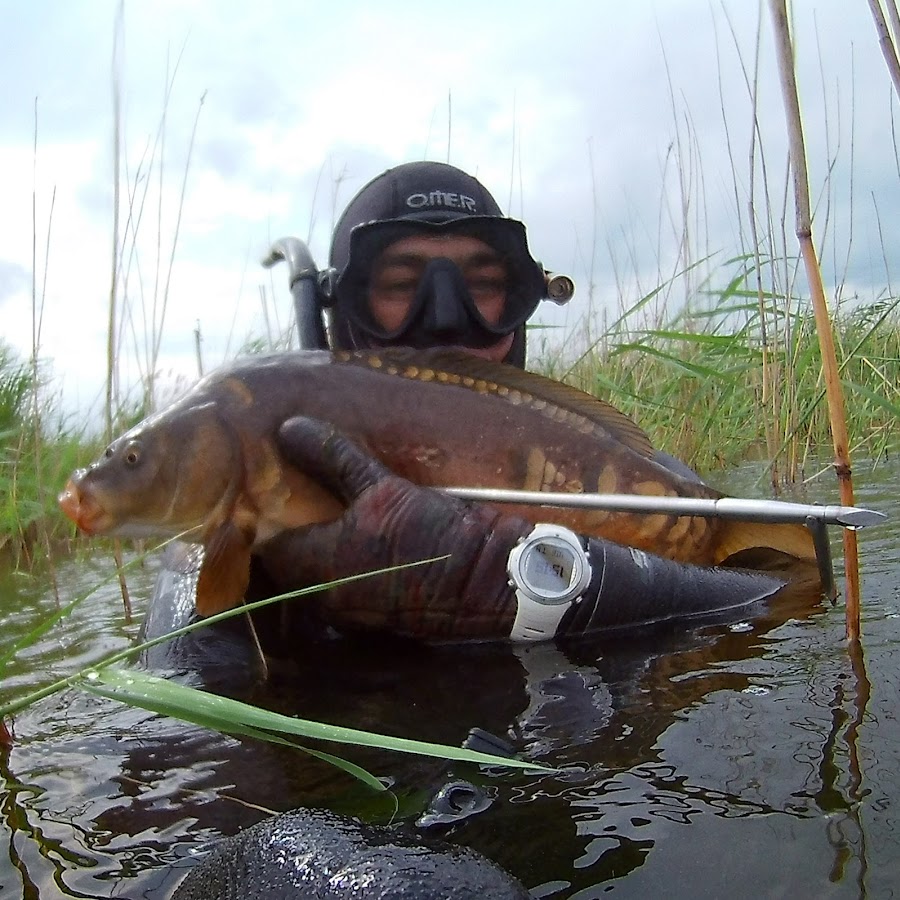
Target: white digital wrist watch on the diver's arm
point(550, 570)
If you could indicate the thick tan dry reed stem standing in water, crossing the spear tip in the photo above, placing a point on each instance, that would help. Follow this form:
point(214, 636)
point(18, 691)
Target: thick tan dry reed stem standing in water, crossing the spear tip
point(833, 389)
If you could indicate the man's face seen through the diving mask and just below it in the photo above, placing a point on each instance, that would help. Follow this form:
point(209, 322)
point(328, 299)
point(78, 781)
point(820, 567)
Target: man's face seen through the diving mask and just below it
point(398, 270)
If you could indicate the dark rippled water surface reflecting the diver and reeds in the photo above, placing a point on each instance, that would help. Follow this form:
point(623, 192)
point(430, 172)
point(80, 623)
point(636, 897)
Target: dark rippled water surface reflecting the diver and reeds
point(747, 759)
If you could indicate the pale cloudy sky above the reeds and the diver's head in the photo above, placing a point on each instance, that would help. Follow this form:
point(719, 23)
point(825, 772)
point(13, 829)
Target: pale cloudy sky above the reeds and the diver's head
point(598, 123)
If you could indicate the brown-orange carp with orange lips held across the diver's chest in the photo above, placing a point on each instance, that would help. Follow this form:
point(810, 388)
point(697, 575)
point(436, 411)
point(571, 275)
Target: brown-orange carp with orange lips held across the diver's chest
point(207, 467)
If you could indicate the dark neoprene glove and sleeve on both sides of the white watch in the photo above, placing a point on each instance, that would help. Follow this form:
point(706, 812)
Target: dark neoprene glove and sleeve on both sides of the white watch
point(390, 521)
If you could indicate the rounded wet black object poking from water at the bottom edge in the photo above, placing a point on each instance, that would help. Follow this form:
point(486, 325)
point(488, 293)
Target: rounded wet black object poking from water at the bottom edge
point(314, 855)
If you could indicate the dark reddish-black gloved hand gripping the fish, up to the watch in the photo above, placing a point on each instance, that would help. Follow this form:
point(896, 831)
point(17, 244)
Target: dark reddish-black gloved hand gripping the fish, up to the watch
point(390, 521)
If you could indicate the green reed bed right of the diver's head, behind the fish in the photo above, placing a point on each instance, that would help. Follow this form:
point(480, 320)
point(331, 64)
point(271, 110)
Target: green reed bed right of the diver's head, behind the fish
point(725, 379)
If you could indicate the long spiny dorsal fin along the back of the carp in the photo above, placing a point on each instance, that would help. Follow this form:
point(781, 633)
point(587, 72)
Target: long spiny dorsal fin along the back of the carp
point(504, 380)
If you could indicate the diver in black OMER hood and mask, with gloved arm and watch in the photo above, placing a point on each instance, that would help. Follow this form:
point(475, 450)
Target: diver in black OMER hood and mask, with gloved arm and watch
point(423, 257)
